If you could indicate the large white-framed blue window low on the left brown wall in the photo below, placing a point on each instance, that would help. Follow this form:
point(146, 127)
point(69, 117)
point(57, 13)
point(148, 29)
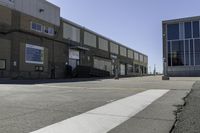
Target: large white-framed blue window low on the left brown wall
point(34, 54)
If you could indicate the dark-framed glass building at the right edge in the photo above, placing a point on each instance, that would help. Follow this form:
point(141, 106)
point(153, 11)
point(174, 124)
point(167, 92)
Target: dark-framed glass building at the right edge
point(181, 47)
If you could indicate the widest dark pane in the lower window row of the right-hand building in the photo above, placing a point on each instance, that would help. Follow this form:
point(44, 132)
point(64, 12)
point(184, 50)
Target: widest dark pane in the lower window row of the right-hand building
point(177, 53)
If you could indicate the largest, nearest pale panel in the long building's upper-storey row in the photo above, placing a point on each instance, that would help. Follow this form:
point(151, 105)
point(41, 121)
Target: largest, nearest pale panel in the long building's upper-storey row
point(71, 32)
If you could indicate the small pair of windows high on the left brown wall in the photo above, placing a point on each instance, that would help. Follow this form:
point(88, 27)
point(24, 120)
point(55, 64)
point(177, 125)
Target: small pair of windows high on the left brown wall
point(41, 28)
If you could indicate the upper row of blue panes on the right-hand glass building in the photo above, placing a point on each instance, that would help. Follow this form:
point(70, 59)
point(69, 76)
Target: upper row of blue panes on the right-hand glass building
point(184, 30)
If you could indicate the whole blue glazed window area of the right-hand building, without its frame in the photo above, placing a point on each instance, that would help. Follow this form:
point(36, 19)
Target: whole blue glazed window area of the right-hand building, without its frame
point(183, 40)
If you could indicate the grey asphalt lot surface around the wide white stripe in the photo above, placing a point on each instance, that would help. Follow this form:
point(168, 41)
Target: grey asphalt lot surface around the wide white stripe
point(26, 108)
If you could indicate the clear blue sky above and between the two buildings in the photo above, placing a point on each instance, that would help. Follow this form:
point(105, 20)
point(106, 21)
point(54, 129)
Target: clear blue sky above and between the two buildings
point(134, 23)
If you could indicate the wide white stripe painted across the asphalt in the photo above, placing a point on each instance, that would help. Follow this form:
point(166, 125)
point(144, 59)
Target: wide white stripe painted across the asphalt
point(105, 118)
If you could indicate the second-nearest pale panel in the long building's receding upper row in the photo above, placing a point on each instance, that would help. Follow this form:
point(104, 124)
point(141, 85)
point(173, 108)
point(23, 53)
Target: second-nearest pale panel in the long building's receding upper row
point(90, 39)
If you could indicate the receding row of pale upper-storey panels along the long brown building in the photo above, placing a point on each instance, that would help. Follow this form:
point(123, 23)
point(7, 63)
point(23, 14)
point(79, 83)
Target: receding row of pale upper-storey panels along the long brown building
point(90, 39)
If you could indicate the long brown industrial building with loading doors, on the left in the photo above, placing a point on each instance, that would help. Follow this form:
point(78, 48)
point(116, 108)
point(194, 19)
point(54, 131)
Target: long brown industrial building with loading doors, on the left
point(36, 43)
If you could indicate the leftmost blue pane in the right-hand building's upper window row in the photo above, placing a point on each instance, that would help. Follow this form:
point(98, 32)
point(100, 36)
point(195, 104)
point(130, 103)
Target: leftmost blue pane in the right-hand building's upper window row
point(173, 31)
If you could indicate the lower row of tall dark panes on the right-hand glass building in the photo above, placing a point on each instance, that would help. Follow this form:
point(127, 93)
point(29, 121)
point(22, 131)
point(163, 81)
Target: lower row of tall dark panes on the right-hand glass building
point(184, 53)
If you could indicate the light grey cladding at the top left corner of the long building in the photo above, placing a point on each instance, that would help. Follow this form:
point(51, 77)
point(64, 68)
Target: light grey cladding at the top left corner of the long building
point(37, 8)
